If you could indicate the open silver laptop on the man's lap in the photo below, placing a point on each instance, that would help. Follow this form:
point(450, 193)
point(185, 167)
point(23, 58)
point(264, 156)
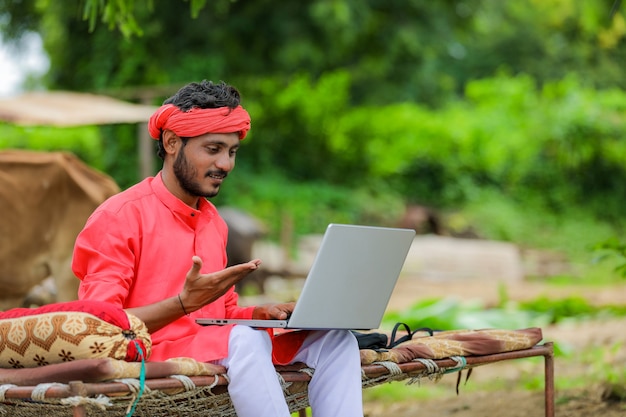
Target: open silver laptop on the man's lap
point(350, 282)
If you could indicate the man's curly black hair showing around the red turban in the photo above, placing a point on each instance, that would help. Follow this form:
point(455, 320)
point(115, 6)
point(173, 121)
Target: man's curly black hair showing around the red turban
point(203, 95)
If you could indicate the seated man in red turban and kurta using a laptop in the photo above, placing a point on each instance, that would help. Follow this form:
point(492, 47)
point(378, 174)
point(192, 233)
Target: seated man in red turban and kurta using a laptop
point(158, 250)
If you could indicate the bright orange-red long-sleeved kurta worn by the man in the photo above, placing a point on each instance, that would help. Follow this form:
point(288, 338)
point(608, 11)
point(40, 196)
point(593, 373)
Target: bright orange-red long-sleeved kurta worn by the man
point(136, 249)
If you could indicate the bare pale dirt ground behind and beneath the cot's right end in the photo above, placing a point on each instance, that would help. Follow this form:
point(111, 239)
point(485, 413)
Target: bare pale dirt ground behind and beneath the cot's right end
point(509, 398)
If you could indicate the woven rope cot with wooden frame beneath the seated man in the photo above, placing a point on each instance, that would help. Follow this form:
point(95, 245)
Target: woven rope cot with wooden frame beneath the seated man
point(200, 396)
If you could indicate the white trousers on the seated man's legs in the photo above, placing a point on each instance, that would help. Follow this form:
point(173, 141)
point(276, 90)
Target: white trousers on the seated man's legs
point(254, 388)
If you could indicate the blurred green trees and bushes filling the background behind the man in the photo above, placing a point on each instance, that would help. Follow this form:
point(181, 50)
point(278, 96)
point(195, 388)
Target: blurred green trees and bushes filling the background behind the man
point(407, 94)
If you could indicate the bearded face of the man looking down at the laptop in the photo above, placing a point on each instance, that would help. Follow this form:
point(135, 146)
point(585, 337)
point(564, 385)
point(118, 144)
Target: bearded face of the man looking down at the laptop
point(204, 162)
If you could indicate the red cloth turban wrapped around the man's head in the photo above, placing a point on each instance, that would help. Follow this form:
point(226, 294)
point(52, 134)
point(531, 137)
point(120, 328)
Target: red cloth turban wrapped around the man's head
point(197, 121)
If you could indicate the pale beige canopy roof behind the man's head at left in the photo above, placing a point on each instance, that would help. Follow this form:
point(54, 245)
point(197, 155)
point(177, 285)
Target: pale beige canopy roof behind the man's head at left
point(61, 108)
